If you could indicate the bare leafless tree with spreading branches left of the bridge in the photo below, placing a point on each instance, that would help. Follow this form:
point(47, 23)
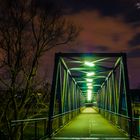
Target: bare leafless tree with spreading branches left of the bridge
point(28, 28)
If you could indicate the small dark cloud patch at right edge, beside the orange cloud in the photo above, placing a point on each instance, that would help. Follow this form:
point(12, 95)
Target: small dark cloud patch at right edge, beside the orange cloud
point(135, 41)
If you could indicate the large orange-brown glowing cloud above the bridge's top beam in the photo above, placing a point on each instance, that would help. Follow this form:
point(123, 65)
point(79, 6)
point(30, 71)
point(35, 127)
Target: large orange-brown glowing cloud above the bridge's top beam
point(103, 31)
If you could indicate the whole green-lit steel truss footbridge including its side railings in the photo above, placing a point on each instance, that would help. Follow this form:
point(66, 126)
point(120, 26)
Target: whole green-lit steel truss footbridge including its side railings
point(89, 99)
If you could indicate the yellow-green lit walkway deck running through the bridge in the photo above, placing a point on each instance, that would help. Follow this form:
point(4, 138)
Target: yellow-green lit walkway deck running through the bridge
point(89, 125)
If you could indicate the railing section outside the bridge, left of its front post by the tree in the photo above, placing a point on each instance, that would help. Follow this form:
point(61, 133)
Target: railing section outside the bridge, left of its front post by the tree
point(29, 129)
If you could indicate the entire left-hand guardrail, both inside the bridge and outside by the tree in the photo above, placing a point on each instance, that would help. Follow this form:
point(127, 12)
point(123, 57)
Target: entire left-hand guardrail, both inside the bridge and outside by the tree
point(35, 129)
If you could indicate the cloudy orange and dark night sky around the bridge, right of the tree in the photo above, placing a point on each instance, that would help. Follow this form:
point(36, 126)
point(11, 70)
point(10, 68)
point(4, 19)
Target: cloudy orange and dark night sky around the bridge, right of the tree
point(108, 26)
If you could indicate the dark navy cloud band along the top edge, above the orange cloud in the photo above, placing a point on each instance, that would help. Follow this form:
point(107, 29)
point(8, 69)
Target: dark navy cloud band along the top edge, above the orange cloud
point(123, 8)
